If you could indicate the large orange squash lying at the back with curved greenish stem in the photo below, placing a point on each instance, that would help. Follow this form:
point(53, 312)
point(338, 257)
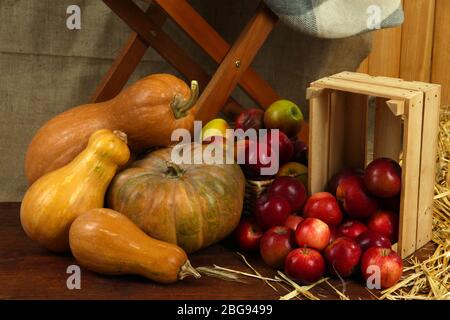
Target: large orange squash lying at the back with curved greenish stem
point(148, 111)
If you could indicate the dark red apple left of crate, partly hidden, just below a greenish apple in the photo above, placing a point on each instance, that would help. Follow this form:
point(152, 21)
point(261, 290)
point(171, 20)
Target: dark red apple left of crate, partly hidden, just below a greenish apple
point(291, 189)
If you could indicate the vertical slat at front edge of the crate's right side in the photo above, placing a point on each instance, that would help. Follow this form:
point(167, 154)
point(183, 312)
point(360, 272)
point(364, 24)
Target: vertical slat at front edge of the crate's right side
point(412, 139)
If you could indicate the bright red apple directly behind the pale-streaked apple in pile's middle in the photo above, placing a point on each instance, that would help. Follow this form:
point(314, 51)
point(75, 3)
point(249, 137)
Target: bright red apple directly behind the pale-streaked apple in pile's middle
point(323, 206)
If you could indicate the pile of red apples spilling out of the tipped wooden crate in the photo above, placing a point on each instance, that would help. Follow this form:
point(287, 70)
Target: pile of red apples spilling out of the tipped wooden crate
point(351, 227)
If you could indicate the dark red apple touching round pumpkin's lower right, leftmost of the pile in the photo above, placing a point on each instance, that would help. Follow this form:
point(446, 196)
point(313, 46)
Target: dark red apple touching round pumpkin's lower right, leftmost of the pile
point(248, 235)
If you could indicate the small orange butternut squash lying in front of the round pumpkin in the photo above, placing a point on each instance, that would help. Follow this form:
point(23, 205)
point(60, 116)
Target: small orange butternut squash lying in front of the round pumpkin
point(106, 241)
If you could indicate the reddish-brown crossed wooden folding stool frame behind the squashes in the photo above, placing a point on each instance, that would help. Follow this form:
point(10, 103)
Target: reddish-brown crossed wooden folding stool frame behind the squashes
point(234, 61)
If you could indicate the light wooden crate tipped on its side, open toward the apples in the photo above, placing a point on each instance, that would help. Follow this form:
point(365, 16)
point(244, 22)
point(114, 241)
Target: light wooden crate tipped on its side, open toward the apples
point(405, 125)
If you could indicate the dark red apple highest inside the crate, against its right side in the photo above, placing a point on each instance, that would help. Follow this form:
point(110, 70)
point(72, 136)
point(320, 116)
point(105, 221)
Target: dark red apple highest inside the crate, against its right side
point(383, 177)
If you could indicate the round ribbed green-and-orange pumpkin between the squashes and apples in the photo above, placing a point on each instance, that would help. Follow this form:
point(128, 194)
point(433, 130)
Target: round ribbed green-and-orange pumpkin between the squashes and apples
point(191, 205)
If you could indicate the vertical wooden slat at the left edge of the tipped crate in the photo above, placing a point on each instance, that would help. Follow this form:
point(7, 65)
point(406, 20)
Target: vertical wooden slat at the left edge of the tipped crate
point(319, 138)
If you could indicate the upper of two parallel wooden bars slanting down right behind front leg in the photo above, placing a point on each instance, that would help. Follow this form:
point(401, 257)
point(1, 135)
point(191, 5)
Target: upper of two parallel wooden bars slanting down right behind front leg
point(215, 46)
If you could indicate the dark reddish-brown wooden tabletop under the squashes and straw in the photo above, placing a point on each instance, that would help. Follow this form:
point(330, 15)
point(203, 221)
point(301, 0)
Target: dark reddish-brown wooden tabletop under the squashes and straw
point(29, 272)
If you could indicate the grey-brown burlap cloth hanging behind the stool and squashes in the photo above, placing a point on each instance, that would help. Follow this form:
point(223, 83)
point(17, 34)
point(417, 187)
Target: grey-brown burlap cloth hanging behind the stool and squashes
point(46, 68)
